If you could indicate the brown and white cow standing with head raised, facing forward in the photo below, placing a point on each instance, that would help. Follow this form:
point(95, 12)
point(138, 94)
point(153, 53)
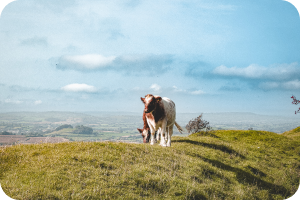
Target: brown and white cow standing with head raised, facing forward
point(160, 114)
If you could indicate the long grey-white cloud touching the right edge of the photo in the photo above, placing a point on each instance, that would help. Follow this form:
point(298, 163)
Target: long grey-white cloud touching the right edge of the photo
point(278, 72)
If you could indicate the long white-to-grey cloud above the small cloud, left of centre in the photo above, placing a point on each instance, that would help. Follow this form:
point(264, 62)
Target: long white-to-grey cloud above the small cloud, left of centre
point(151, 64)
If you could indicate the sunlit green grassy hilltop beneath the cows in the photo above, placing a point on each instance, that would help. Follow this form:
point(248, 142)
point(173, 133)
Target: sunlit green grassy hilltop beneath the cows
point(214, 165)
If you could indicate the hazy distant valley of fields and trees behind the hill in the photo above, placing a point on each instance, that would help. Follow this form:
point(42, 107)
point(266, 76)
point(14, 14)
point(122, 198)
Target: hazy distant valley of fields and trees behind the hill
point(43, 127)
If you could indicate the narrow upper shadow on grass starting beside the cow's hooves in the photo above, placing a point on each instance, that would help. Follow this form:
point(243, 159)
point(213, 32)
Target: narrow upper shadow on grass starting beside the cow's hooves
point(212, 146)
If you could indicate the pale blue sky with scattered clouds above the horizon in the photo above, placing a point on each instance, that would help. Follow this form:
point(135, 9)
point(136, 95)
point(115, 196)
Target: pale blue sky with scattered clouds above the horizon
point(208, 56)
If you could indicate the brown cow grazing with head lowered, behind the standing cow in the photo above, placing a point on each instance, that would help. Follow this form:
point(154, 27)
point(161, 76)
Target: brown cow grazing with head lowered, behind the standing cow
point(145, 132)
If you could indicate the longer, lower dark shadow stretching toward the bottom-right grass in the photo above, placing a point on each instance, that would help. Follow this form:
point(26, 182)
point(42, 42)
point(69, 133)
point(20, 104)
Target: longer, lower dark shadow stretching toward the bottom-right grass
point(246, 177)
